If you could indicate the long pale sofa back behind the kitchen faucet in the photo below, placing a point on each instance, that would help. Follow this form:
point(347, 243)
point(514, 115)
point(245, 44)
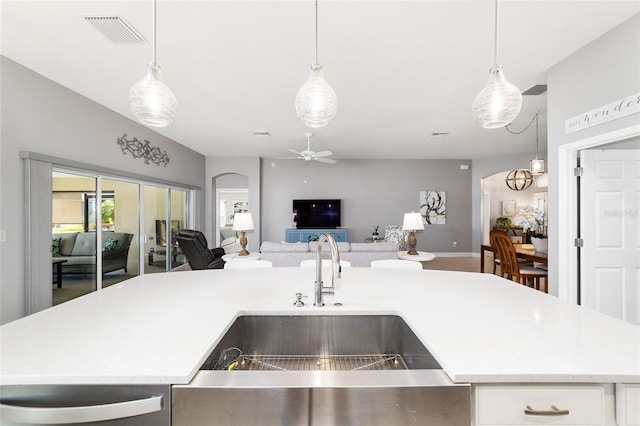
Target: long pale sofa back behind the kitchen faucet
point(359, 254)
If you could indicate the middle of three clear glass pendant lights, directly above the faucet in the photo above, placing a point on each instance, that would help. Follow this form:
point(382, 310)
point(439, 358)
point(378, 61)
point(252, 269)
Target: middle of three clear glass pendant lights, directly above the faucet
point(316, 102)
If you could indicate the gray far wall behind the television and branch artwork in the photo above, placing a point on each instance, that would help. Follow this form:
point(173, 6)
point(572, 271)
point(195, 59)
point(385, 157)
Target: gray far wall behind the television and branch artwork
point(373, 192)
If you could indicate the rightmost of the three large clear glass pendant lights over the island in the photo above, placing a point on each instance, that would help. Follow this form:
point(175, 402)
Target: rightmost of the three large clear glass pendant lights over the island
point(499, 102)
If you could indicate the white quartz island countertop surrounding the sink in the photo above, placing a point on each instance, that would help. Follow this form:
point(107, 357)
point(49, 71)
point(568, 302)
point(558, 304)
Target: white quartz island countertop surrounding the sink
point(160, 328)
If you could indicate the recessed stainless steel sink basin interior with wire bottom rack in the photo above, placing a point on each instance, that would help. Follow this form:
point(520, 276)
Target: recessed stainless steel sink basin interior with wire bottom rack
point(327, 342)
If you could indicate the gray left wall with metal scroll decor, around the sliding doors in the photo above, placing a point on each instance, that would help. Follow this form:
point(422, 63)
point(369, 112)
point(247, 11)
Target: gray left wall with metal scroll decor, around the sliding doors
point(41, 116)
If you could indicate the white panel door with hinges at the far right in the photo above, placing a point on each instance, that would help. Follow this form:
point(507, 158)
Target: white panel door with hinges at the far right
point(610, 228)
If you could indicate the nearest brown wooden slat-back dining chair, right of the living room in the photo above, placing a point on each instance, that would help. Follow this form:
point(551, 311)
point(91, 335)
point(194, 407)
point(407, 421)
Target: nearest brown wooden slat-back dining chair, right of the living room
point(509, 264)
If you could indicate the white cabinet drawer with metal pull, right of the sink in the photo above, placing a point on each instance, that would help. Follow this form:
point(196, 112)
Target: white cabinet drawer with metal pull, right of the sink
point(575, 405)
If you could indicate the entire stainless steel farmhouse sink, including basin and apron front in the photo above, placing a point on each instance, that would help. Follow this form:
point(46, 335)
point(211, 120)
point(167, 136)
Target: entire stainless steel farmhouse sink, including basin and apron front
point(321, 370)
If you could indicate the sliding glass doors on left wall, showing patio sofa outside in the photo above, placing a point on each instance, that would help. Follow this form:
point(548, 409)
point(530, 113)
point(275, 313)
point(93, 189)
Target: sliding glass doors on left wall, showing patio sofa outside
point(96, 226)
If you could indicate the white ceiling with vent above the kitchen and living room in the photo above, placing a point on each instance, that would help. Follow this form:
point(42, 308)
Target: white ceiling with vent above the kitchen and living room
point(402, 70)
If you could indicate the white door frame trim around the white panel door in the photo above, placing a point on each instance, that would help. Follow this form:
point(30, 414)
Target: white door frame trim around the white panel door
point(568, 209)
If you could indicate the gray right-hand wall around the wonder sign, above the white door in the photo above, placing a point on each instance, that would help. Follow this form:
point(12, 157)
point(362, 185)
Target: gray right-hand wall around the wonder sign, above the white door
point(602, 72)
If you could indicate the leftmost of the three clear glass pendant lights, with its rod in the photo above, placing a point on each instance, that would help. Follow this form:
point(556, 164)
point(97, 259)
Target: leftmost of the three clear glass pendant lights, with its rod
point(150, 99)
